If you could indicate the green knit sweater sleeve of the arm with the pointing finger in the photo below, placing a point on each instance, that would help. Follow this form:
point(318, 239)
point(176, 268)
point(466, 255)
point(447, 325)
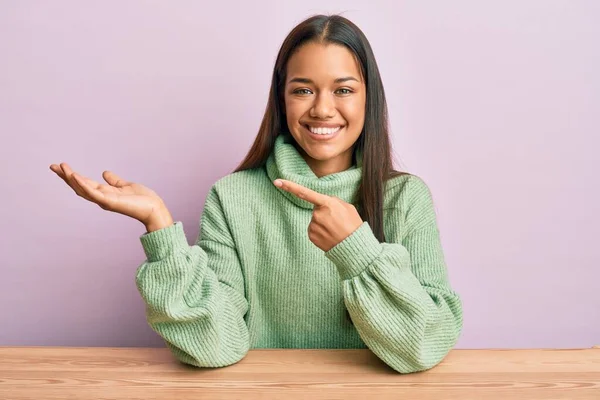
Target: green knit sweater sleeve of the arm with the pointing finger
point(398, 294)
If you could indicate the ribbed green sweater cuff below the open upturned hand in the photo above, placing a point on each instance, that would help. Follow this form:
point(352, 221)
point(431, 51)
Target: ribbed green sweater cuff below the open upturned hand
point(163, 242)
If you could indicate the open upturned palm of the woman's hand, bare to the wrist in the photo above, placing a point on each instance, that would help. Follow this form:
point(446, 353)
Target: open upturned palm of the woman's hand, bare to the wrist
point(120, 196)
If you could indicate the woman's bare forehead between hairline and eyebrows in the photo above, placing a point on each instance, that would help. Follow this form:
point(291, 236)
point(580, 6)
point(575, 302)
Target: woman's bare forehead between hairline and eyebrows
point(323, 62)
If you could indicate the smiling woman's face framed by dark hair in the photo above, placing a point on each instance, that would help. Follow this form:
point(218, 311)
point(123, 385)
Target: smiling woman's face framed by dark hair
point(325, 98)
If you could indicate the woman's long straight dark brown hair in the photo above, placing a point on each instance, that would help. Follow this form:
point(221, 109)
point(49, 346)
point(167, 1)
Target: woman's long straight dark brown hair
point(374, 140)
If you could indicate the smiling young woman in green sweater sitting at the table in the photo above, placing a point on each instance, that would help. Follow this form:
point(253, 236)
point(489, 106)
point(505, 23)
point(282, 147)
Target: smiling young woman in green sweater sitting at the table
point(315, 241)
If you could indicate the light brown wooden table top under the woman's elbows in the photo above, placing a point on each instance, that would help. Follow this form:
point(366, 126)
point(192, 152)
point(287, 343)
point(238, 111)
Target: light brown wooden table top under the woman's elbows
point(146, 373)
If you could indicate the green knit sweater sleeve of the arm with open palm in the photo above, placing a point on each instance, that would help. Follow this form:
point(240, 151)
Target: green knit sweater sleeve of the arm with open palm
point(194, 295)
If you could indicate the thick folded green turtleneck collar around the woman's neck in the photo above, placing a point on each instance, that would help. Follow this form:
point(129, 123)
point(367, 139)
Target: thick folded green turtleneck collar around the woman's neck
point(286, 162)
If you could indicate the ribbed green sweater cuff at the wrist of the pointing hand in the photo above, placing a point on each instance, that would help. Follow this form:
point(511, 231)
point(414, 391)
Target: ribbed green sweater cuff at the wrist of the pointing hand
point(355, 253)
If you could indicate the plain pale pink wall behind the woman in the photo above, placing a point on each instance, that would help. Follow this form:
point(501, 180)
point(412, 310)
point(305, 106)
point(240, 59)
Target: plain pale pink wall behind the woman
point(494, 104)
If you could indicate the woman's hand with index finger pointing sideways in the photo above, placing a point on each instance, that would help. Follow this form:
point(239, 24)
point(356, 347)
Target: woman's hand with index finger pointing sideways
point(333, 219)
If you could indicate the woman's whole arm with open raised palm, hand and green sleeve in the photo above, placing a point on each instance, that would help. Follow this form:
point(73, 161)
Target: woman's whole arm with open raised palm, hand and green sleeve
point(194, 295)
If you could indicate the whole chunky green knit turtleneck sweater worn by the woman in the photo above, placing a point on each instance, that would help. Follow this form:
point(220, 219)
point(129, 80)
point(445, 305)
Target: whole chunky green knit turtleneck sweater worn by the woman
point(253, 279)
